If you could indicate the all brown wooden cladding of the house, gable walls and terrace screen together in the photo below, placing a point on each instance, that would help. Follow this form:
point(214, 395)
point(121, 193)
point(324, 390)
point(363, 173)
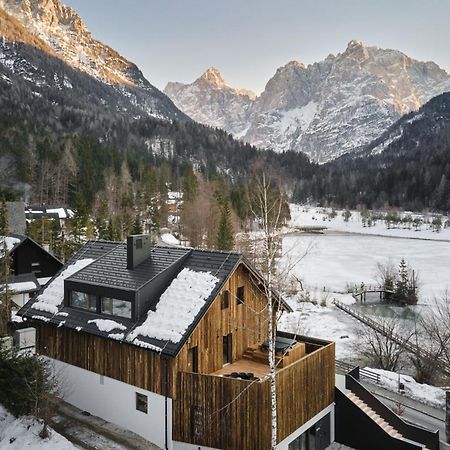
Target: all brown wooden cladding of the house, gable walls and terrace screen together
point(211, 410)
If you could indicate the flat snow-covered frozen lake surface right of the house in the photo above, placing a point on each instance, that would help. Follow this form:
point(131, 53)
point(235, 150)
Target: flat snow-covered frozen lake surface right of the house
point(336, 259)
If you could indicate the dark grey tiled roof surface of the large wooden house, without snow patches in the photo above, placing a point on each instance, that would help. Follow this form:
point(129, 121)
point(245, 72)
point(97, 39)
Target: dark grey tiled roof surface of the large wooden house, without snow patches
point(110, 267)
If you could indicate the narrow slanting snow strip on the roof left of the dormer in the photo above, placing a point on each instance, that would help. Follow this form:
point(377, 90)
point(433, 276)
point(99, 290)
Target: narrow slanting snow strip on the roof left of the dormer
point(53, 294)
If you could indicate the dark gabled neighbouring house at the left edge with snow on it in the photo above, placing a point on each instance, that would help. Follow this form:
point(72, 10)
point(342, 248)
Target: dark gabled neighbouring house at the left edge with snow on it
point(31, 265)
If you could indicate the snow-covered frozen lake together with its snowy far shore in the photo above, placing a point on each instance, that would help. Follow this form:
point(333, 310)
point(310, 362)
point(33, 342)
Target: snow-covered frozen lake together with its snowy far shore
point(336, 259)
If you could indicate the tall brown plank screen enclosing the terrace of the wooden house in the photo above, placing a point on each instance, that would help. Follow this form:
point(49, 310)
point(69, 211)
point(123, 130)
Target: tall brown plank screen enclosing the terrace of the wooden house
point(230, 414)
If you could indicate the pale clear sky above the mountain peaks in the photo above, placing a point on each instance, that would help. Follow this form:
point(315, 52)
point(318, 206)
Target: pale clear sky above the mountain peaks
point(247, 40)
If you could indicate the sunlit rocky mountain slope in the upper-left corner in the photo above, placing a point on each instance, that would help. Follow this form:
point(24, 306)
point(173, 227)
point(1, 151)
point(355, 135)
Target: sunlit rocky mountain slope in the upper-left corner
point(61, 29)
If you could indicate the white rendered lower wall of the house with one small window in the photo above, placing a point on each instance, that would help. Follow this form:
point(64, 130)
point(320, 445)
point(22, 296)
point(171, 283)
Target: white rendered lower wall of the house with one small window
point(115, 402)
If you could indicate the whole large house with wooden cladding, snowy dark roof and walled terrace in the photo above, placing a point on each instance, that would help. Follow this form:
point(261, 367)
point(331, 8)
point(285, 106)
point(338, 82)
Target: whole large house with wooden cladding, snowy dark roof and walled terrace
point(169, 342)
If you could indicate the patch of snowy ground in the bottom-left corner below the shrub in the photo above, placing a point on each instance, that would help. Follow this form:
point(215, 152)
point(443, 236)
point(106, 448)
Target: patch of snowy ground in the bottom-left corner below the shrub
point(23, 433)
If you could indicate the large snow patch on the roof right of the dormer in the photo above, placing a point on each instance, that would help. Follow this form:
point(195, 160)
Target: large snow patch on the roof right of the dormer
point(177, 307)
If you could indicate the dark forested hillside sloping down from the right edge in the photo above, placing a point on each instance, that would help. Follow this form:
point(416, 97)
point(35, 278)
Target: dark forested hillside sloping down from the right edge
point(407, 167)
